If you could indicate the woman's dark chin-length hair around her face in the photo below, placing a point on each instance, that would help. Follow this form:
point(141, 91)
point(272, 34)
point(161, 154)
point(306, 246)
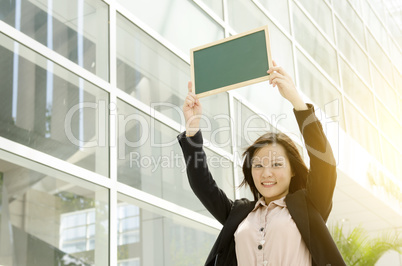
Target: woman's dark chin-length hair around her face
point(297, 164)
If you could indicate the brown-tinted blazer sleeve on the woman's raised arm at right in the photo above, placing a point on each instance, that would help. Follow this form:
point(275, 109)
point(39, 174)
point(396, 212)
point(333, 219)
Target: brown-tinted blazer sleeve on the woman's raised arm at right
point(321, 179)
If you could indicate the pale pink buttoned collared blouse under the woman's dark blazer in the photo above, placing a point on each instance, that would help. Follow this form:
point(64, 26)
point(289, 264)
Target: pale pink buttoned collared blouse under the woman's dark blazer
point(269, 236)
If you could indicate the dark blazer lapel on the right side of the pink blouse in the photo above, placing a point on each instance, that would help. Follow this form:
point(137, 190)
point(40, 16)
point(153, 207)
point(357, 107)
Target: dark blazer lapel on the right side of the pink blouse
point(297, 206)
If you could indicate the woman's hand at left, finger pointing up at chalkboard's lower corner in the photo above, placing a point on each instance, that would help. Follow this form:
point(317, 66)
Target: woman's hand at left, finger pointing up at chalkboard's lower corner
point(192, 110)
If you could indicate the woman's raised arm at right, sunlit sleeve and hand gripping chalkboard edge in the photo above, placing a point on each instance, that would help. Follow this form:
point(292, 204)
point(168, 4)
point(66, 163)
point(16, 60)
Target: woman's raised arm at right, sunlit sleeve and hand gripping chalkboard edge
point(322, 176)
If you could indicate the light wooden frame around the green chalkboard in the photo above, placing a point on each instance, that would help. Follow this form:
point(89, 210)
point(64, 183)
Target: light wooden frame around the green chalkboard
point(232, 39)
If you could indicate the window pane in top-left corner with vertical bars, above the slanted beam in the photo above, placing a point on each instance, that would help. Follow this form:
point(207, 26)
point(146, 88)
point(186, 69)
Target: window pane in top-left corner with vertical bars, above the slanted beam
point(77, 29)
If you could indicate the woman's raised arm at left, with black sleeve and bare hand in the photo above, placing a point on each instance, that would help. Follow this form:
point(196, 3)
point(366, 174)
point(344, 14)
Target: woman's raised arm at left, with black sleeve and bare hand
point(199, 176)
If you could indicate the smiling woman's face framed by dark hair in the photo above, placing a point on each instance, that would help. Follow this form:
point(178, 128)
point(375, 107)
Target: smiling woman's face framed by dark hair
point(271, 172)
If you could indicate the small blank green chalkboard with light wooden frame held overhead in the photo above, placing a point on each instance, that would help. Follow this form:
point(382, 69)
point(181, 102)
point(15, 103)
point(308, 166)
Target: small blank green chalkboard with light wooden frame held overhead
point(230, 63)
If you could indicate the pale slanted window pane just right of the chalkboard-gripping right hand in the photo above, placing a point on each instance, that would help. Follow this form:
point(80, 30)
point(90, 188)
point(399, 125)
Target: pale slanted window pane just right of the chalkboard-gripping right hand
point(318, 88)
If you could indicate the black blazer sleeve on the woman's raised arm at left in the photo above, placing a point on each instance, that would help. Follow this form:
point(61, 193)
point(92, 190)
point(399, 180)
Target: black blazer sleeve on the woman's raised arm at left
point(200, 178)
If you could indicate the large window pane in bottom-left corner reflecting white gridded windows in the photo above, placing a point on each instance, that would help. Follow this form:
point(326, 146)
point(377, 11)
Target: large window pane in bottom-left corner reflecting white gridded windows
point(39, 207)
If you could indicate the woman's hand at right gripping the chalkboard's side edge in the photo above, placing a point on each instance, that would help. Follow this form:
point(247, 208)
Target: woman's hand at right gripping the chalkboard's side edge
point(279, 77)
